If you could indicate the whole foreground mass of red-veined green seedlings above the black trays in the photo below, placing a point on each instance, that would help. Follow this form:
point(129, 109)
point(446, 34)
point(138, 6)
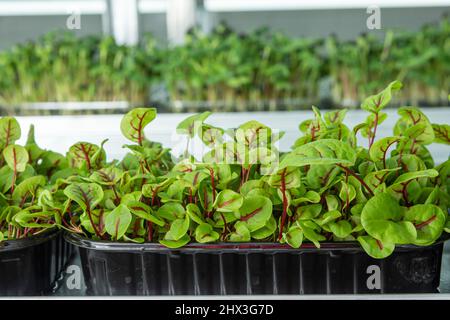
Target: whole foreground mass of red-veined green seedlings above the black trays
point(327, 188)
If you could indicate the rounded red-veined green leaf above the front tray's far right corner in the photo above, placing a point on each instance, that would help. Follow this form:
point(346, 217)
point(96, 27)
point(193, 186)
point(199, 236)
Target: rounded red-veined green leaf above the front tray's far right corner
point(429, 221)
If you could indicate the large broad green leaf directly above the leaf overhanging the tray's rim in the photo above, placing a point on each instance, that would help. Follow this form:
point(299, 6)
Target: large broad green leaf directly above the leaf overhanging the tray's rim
point(381, 218)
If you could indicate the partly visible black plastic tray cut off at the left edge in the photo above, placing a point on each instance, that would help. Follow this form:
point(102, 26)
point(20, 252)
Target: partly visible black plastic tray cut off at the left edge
point(31, 267)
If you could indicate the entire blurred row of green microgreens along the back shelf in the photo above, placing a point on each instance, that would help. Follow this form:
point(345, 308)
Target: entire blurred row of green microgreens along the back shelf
point(227, 70)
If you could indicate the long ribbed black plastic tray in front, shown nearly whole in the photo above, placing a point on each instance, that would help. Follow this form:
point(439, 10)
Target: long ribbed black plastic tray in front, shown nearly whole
point(254, 268)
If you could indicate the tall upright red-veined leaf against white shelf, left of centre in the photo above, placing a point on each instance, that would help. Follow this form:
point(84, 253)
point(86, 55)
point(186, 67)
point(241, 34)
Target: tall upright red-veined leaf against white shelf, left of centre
point(134, 122)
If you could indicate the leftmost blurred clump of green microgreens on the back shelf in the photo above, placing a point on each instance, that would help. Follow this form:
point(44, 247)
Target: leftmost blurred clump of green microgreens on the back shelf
point(61, 67)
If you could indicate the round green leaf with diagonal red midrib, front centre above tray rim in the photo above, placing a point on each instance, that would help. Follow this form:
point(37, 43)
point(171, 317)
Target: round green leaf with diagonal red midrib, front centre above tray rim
point(255, 212)
